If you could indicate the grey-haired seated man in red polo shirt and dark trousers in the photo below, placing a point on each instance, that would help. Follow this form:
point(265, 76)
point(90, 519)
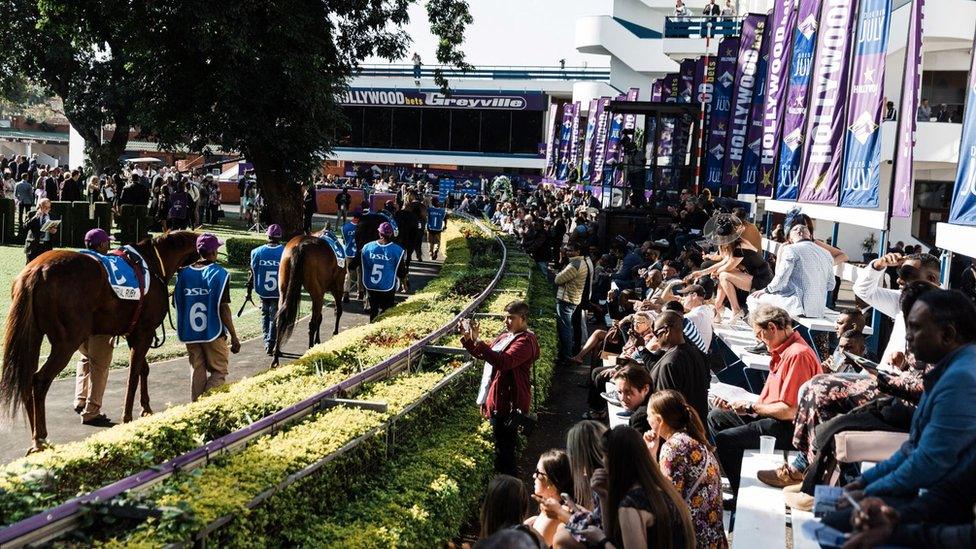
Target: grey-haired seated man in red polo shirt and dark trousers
point(737, 426)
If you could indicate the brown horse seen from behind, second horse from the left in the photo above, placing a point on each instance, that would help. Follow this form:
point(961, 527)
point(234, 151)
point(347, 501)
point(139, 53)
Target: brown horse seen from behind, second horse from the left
point(310, 262)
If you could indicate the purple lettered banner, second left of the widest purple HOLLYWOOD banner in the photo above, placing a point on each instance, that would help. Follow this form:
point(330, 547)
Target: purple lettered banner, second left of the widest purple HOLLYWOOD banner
point(779, 37)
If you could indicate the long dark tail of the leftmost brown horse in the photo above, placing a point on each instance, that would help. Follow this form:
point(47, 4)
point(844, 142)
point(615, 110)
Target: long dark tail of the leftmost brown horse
point(22, 347)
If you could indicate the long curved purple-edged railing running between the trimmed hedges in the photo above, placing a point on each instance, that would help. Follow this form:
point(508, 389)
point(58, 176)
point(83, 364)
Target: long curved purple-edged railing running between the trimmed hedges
point(56, 521)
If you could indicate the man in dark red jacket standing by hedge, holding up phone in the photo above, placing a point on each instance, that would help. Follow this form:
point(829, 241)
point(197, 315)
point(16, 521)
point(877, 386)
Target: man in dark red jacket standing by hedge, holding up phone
point(506, 390)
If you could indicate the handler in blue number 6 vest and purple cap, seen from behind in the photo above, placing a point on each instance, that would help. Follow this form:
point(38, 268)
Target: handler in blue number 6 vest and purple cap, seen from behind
point(203, 317)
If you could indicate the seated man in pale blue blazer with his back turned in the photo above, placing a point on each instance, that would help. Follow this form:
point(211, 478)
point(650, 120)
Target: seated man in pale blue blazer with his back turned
point(804, 275)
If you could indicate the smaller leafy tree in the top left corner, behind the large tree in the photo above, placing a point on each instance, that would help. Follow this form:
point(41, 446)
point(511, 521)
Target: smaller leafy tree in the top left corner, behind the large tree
point(74, 50)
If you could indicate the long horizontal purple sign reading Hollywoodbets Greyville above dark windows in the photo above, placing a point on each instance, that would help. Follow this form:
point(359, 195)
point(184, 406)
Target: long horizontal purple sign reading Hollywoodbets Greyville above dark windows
point(501, 100)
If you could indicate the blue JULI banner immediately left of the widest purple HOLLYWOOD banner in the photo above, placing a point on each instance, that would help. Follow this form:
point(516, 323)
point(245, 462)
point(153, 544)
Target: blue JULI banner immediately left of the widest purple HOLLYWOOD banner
point(797, 92)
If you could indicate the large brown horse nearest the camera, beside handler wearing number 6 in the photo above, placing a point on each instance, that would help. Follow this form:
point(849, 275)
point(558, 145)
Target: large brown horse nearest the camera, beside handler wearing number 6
point(65, 296)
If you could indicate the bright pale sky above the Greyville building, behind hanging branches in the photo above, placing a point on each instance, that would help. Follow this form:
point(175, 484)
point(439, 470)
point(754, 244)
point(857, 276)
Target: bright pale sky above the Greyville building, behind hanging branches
point(513, 33)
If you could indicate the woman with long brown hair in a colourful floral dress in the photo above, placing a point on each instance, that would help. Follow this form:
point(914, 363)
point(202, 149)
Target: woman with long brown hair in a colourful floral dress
point(677, 440)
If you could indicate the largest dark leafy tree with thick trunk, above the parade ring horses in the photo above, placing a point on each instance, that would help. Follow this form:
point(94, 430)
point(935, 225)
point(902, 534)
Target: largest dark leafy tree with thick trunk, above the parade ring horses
point(261, 77)
